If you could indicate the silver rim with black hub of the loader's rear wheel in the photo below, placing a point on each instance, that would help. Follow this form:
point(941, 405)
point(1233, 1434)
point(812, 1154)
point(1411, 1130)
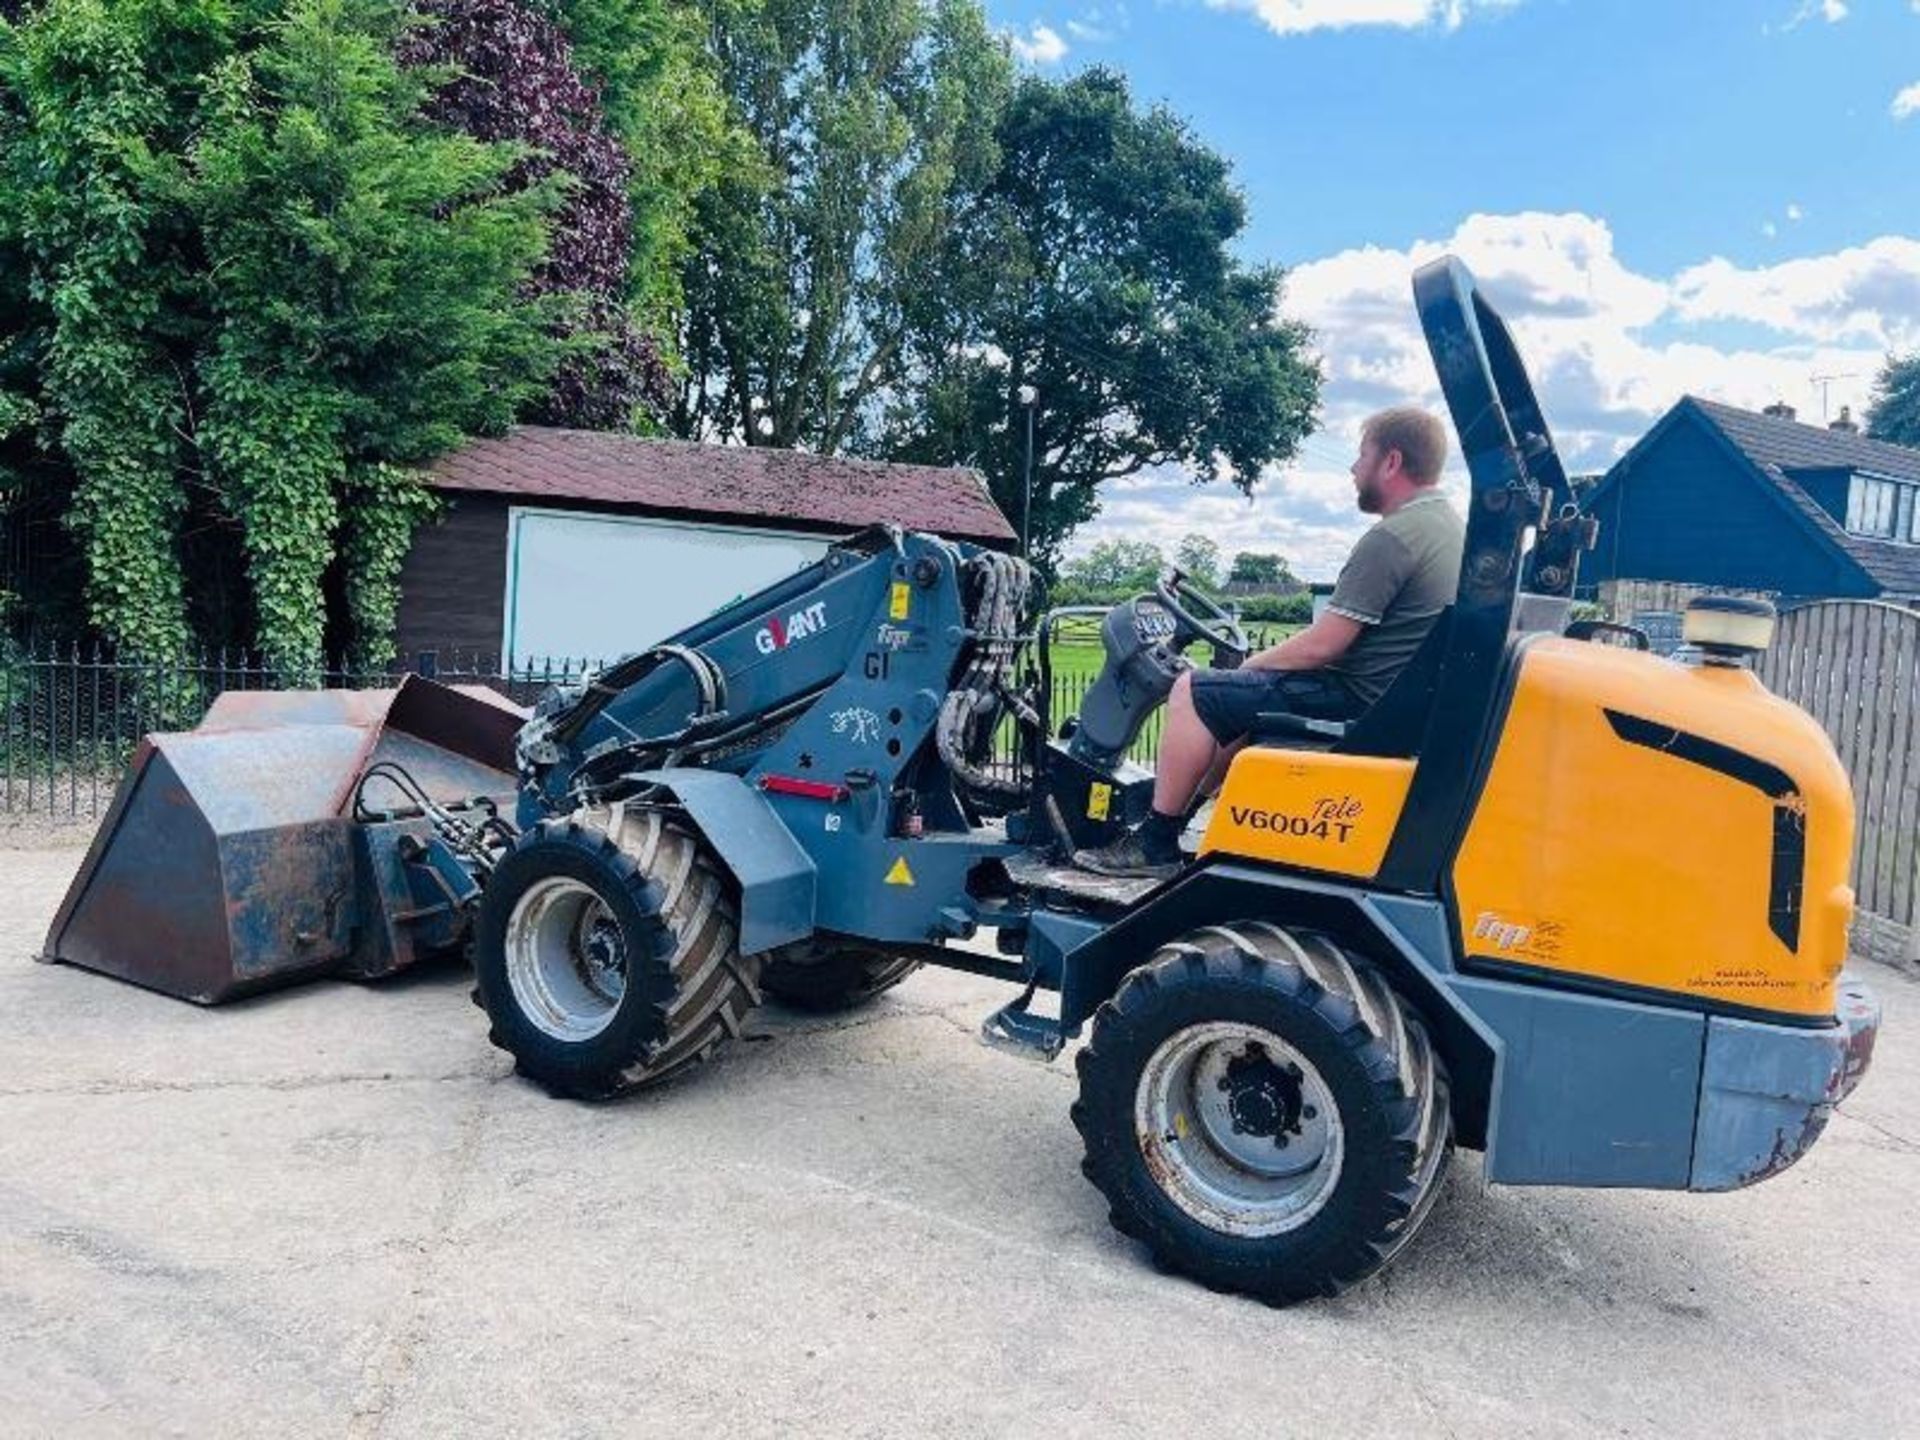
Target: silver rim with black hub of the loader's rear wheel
point(1239, 1130)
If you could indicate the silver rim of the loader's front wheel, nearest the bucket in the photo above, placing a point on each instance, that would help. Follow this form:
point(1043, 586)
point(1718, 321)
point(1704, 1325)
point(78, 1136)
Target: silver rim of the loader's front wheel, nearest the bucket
point(565, 959)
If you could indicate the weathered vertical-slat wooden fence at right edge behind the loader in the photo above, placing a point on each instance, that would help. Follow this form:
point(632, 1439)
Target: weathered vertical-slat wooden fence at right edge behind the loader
point(1856, 667)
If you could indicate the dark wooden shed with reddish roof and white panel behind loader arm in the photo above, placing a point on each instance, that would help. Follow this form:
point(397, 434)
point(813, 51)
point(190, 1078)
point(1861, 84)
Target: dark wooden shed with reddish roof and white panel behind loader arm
point(590, 544)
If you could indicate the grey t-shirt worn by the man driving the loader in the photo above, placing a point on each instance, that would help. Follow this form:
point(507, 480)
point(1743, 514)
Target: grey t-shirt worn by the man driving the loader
point(1399, 579)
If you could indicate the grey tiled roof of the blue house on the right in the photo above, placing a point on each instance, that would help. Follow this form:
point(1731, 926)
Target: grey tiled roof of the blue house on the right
point(1775, 448)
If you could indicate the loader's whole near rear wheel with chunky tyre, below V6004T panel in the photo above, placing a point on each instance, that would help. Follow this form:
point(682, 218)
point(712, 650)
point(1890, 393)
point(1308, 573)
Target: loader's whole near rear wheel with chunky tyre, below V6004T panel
point(1264, 1113)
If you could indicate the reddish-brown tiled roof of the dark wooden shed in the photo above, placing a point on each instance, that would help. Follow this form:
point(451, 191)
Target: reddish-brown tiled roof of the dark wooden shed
point(736, 483)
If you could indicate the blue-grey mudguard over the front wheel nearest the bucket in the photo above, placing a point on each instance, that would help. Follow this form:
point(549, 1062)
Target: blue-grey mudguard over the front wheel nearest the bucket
point(779, 882)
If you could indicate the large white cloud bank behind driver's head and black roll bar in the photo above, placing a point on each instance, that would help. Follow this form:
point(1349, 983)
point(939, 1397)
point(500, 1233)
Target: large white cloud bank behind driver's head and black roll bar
point(1610, 348)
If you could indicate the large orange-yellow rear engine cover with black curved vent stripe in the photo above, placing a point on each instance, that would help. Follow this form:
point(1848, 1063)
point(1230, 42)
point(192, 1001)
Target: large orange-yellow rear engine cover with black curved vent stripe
point(1648, 861)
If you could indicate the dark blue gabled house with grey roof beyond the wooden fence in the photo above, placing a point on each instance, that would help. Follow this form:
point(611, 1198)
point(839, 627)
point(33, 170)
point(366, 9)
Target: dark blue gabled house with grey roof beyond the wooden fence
point(1721, 498)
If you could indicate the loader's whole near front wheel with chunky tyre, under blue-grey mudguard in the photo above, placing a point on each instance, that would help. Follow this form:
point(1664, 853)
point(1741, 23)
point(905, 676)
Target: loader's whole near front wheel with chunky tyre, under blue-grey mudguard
point(608, 953)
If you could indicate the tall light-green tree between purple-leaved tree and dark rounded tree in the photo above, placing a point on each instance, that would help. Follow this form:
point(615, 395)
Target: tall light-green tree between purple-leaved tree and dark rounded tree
point(821, 252)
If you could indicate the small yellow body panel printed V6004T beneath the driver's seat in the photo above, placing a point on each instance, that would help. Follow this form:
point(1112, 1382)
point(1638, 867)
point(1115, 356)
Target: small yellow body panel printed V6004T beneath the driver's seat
point(1307, 809)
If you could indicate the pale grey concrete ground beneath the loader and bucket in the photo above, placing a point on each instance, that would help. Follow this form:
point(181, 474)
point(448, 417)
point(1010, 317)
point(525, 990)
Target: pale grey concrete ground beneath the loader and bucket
point(337, 1214)
